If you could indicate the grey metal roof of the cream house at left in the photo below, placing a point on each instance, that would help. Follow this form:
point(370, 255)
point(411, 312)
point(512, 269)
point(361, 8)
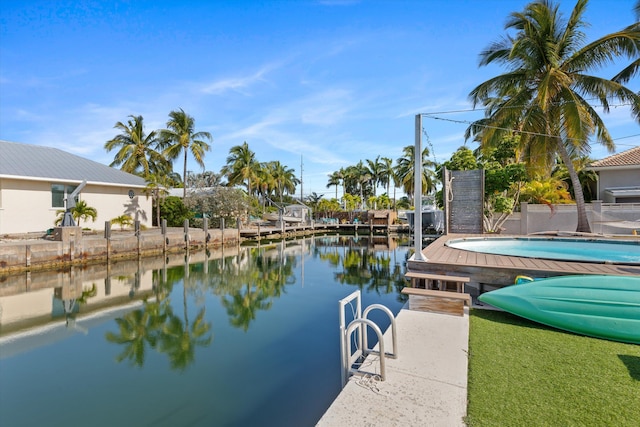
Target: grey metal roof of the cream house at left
point(35, 162)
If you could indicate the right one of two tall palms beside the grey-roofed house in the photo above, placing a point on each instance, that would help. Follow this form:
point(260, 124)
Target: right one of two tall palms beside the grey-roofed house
point(180, 136)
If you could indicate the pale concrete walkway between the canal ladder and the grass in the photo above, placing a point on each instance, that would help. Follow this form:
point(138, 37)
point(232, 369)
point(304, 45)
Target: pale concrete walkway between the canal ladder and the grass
point(425, 386)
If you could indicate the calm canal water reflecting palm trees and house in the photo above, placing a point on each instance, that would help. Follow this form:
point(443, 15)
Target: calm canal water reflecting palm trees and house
point(245, 337)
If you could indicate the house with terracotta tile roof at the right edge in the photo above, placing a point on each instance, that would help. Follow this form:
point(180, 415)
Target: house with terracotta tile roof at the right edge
point(619, 177)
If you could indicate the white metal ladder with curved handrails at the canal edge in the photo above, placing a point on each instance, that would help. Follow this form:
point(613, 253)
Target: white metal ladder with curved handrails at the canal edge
point(359, 324)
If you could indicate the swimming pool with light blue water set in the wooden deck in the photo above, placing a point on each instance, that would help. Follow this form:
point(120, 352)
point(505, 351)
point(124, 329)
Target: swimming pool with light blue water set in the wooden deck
point(564, 249)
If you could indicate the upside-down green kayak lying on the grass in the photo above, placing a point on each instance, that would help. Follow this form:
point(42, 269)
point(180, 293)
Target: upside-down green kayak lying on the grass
point(598, 306)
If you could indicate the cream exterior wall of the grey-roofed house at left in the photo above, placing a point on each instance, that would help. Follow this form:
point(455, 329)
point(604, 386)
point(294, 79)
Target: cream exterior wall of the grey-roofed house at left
point(25, 205)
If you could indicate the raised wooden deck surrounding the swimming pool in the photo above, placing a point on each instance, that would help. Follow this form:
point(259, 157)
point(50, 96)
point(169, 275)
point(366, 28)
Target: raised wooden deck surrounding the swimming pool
point(501, 270)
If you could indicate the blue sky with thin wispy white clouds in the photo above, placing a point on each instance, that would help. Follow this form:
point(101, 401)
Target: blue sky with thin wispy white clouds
point(330, 82)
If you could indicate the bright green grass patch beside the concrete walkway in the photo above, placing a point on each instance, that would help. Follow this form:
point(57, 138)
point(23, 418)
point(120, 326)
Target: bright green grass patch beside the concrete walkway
point(522, 373)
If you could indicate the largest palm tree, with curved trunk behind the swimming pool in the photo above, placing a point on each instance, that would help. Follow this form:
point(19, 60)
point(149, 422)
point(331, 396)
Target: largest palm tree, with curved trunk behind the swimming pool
point(544, 93)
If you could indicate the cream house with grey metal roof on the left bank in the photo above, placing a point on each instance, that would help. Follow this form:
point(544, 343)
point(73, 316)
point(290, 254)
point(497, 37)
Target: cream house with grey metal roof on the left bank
point(35, 180)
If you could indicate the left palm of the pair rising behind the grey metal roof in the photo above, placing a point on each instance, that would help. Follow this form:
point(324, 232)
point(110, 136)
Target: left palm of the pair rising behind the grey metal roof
point(137, 153)
